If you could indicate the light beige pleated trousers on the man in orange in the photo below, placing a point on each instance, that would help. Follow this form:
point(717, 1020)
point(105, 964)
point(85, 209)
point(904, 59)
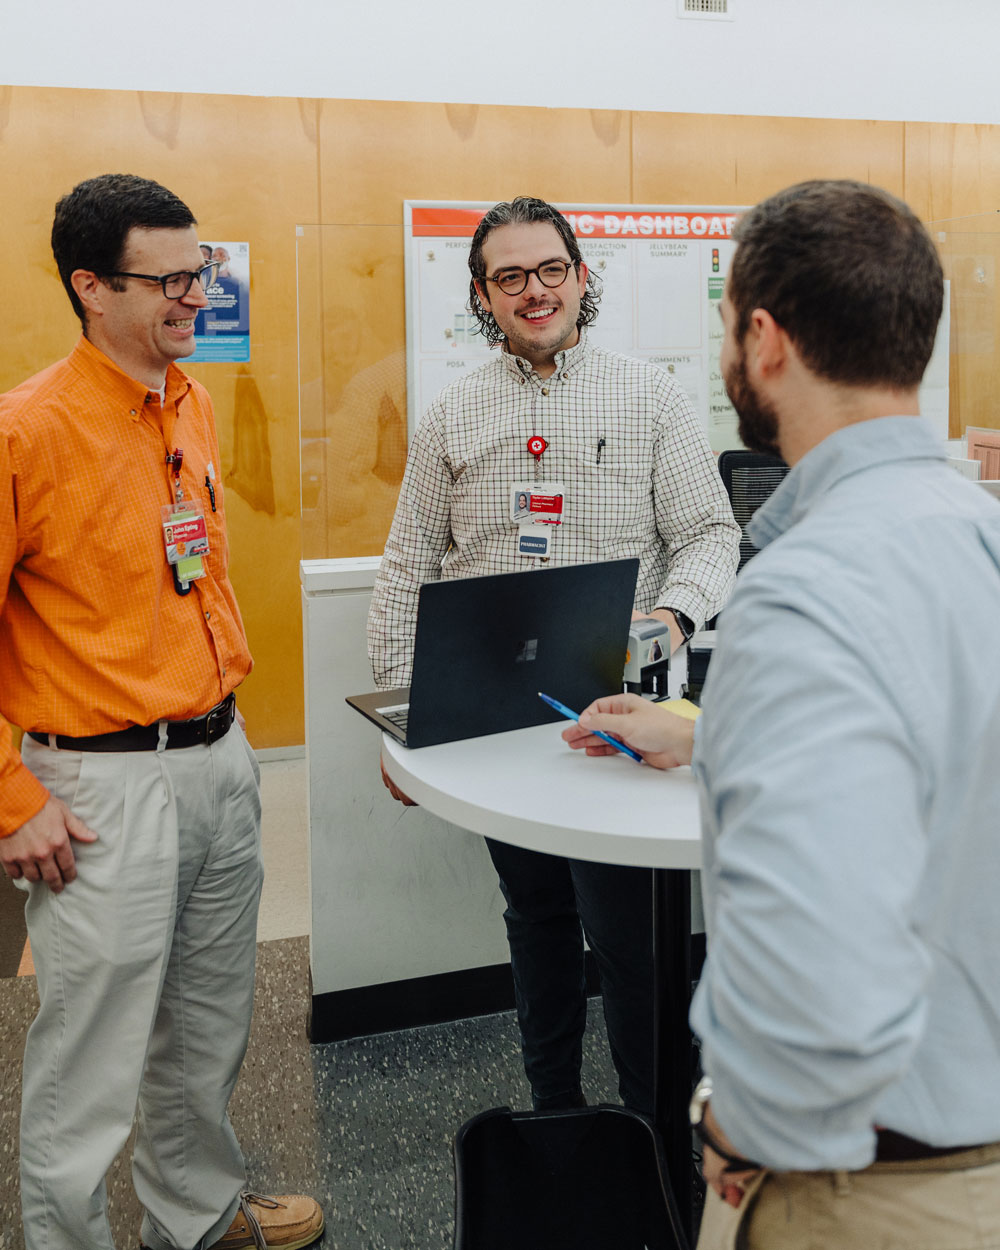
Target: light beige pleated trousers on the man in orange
point(146, 973)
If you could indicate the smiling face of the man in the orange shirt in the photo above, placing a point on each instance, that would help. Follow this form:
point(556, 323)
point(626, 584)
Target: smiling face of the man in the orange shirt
point(139, 328)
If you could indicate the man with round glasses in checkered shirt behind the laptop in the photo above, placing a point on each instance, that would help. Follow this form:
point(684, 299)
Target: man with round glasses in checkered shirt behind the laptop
point(626, 446)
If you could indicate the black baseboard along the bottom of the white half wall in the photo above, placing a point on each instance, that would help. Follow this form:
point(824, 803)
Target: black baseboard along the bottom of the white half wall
point(422, 1001)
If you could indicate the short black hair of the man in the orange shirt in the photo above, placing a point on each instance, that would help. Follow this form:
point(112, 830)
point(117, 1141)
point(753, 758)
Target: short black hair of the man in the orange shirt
point(93, 222)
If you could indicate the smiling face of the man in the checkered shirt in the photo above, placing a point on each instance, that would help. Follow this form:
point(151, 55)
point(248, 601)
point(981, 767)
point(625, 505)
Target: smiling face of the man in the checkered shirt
point(542, 321)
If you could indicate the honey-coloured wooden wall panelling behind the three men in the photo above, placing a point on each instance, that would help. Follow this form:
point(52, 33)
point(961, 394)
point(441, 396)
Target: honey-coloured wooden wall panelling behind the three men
point(257, 168)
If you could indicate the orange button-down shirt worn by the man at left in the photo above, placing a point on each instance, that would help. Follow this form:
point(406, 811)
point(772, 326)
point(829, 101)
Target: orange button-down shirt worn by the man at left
point(93, 636)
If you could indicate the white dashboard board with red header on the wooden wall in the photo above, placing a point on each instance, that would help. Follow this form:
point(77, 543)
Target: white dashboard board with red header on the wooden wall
point(662, 271)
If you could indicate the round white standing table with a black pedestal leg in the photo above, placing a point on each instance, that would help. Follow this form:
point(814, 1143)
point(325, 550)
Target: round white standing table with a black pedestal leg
point(529, 789)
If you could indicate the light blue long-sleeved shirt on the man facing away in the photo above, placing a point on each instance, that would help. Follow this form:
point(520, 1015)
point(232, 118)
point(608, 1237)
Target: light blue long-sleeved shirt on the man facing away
point(849, 767)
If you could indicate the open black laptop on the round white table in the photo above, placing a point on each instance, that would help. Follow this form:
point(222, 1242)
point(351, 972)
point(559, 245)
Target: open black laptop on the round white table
point(486, 647)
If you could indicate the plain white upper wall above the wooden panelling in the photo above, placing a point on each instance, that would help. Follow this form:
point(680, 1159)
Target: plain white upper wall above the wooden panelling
point(919, 61)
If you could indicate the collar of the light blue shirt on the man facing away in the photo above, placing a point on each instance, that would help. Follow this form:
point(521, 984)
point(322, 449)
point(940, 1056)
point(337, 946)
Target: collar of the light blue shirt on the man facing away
point(848, 452)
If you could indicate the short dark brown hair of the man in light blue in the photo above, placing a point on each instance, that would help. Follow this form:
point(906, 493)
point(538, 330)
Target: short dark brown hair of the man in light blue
point(849, 273)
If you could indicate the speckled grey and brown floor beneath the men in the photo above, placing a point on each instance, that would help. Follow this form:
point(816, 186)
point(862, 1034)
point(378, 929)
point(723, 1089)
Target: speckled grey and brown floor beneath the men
point(366, 1127)
